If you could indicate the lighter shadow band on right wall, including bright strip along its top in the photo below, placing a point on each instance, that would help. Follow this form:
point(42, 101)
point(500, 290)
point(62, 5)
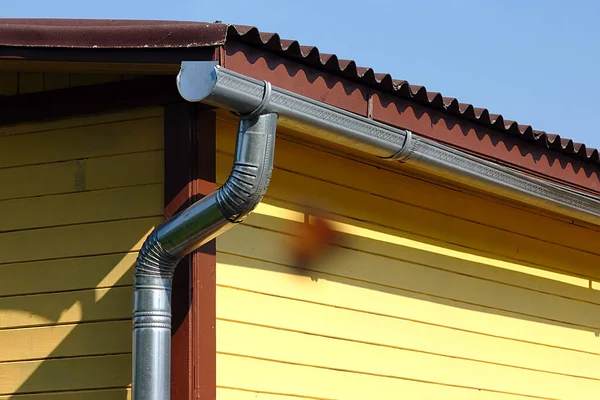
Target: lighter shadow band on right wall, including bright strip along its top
point(384, 260)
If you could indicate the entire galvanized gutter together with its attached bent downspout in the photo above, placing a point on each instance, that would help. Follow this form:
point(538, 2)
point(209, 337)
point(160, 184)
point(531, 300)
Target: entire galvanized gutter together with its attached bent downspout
point(259, 106)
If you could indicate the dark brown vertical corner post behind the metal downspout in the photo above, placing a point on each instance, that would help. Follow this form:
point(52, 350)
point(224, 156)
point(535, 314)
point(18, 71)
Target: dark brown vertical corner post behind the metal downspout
point(190, 173)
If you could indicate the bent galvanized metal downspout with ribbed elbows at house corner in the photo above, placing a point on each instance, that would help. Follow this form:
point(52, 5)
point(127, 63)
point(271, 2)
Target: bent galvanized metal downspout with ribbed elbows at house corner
point(185, 232)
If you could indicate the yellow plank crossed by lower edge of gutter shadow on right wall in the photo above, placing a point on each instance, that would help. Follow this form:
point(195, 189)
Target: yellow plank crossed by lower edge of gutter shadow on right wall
point(320, 288)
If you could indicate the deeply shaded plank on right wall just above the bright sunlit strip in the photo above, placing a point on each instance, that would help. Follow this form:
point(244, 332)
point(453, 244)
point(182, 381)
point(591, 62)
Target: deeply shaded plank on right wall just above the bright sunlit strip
point(419, 224)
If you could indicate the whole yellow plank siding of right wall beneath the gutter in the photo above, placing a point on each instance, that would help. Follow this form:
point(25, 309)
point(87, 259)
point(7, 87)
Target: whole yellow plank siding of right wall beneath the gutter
point(433, 293)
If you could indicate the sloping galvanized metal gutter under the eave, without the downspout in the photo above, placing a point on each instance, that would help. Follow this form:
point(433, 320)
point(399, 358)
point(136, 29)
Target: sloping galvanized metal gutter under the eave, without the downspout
point(211, 84)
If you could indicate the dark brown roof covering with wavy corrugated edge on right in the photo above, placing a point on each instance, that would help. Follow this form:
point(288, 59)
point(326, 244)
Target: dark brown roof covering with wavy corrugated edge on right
point(114, 34)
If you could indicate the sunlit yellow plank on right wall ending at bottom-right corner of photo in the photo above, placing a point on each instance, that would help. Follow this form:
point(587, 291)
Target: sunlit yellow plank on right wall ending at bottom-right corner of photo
point(274, 344)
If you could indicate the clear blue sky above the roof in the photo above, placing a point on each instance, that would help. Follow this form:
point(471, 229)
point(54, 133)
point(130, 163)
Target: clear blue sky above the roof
point(533, 61)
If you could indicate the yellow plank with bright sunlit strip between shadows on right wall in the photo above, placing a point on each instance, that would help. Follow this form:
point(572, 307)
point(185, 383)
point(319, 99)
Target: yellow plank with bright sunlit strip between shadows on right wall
point(282, 217)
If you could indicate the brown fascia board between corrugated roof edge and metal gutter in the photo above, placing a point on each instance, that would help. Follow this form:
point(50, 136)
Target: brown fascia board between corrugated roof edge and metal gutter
point(484, 142)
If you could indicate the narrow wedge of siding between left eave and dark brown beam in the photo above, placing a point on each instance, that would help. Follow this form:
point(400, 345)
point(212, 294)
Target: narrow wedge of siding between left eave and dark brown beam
point(13, 82)
